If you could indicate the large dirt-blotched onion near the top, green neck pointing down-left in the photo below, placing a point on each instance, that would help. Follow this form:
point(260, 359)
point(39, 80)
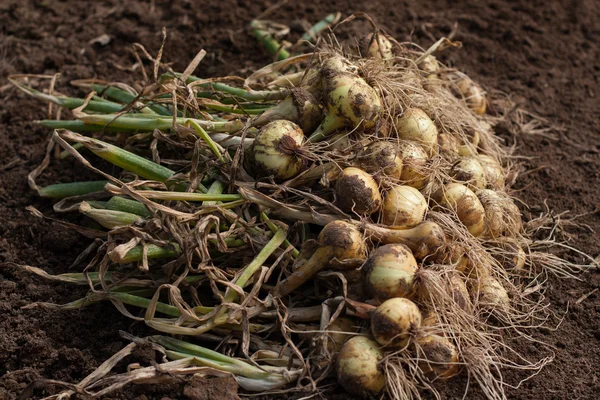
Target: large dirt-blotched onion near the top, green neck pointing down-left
point(350, 101)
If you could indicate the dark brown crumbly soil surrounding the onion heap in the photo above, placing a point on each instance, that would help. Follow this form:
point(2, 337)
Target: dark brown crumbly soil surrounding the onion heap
point(544, 54)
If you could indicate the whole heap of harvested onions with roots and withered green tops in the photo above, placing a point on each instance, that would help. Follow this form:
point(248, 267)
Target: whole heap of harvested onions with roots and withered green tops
point(357, 206)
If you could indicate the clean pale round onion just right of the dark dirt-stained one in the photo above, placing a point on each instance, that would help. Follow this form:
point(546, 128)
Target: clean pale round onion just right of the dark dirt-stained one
point(403, 207)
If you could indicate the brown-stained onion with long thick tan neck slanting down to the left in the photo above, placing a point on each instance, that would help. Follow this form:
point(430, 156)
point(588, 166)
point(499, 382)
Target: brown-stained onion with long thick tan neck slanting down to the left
point(341, 245)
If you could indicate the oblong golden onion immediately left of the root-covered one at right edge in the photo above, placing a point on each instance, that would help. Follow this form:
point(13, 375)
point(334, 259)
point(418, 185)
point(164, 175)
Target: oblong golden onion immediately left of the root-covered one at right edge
point(466, 205)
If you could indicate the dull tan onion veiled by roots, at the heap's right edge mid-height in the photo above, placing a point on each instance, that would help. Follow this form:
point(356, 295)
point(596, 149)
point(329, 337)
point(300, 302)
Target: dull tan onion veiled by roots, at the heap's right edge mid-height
point(502, 216)
